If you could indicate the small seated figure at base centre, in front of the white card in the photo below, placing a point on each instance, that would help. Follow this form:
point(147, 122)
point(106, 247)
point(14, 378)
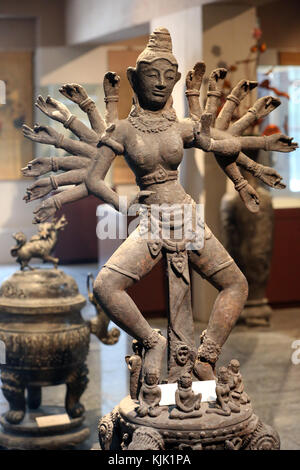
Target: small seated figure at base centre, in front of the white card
point(187, 403)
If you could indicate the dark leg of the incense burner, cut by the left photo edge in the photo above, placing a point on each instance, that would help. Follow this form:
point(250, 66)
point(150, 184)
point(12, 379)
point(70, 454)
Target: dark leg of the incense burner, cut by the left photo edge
point(14, 391)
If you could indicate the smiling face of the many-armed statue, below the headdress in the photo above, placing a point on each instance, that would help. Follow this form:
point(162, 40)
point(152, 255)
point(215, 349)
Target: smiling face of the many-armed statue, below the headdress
point(155, 82)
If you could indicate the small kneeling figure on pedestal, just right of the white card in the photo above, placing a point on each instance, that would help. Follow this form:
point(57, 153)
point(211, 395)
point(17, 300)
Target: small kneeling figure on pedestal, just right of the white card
point(224, 402)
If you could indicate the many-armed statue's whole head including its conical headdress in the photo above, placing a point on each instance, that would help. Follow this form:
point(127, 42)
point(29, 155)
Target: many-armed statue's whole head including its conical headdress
point(156, 72)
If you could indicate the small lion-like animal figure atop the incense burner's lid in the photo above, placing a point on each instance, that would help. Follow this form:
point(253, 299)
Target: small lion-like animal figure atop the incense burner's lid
point(40, 245)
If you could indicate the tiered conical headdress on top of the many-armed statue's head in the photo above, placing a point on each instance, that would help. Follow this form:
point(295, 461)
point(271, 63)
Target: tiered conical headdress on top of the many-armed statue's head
point(158, 47)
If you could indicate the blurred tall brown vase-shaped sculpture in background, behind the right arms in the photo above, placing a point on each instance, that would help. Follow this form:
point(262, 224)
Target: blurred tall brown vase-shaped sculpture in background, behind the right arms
point(248, 238)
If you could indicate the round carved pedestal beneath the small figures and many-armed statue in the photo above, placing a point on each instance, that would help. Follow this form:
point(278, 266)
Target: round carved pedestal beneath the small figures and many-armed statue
point(123, 429)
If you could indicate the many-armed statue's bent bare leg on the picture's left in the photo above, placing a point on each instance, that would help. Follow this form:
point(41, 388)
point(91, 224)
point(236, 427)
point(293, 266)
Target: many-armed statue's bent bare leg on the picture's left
point(130, 262)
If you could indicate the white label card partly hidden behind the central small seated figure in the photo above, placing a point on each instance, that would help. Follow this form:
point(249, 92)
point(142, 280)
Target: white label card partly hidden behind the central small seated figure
point(206, 387)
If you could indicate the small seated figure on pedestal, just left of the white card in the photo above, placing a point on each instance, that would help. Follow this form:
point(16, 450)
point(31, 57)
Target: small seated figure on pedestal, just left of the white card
point(150, 396)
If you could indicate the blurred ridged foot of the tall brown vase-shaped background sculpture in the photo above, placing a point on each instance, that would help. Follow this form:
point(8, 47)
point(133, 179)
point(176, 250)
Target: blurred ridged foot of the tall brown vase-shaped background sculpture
point(256, 313)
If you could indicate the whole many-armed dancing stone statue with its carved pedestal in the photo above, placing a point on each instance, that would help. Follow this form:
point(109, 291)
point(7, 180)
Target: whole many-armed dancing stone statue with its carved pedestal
point(152, 140)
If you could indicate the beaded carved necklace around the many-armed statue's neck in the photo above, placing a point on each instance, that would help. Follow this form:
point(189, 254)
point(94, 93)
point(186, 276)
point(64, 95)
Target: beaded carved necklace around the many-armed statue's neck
point(146, 121)
